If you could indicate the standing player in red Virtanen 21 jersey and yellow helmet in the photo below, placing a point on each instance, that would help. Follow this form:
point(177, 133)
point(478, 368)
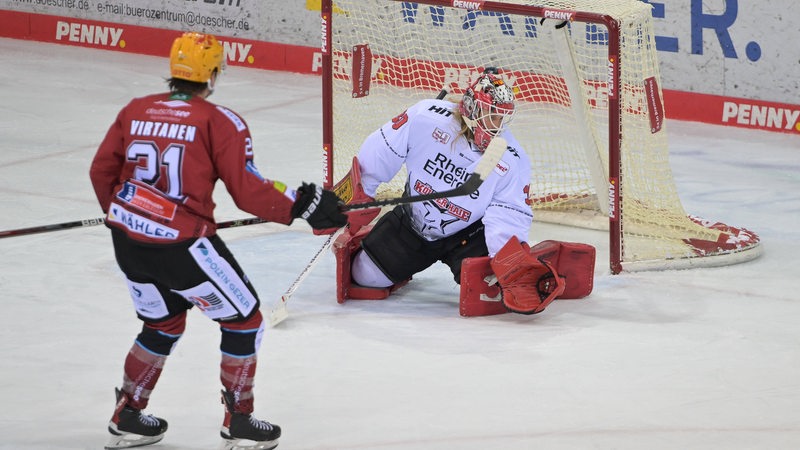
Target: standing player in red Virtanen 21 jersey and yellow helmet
point(154, 176)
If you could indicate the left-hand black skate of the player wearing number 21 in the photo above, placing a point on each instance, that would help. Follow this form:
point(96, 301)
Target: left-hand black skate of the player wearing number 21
point(130, 428)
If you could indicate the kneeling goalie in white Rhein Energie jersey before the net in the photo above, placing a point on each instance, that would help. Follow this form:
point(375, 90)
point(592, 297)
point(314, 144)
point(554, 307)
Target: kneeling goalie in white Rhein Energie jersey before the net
point(440, 142)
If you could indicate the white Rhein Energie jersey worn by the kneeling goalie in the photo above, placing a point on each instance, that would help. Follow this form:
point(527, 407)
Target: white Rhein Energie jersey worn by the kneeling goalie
point(427, 138)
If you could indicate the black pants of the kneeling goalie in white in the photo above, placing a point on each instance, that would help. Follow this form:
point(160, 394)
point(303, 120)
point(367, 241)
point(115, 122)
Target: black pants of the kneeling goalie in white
point(400, 252)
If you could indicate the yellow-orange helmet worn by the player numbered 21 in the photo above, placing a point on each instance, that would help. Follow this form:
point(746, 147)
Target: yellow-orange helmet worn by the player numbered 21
point(195, 56)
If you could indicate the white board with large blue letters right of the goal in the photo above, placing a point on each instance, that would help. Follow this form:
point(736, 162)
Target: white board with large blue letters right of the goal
point(745, 49)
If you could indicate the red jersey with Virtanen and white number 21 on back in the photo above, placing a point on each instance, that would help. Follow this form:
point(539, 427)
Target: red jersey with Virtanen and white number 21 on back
point(155, 171)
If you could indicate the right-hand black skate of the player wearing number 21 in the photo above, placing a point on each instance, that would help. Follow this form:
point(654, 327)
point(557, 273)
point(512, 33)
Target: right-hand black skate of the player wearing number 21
point(238, 427)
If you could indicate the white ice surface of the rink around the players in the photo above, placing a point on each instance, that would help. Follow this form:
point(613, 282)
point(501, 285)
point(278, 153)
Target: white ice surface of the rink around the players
point(692, 359)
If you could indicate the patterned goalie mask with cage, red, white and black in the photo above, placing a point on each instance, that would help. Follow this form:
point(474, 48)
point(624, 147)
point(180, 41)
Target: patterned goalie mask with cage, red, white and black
point(487, 107)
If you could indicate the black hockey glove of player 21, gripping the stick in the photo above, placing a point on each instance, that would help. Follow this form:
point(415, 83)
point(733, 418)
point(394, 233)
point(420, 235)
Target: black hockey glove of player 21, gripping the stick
point(320, 208)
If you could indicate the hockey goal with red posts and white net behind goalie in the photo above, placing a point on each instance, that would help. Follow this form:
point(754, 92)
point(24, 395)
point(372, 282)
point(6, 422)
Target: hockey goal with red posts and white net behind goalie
point(589, 109)
